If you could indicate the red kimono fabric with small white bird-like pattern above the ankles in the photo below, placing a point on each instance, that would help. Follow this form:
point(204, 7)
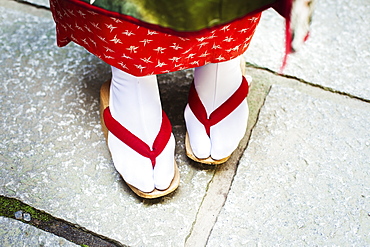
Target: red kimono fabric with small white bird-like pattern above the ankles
point(141, 51)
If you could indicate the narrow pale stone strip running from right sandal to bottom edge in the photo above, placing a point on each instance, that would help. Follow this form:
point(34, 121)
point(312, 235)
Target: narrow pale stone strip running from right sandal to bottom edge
point(220, 185)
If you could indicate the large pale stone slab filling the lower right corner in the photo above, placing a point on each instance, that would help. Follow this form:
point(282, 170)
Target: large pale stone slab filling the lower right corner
point(304, 178)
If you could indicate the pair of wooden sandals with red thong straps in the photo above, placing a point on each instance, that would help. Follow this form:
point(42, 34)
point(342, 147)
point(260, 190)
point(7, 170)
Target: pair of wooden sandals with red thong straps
point(195, 104)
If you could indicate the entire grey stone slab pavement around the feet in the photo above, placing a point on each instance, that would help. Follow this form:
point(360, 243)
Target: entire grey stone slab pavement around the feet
point(299, 178)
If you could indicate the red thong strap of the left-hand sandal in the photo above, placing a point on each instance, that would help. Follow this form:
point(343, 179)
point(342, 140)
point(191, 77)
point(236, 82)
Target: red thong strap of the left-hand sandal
point(134, 142)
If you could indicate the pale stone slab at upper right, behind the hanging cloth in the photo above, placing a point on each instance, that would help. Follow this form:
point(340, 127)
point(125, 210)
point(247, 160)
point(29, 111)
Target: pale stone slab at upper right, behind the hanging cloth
point(337, 54)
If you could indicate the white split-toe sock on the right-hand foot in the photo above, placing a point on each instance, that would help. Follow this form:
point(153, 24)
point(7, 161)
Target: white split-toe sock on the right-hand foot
point(215, 83)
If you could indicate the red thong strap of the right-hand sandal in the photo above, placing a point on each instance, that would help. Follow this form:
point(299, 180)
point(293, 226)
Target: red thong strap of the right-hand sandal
point(222, 111)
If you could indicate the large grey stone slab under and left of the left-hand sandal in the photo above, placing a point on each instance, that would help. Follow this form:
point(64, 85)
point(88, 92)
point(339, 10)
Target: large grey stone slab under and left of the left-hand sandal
point(53, 154)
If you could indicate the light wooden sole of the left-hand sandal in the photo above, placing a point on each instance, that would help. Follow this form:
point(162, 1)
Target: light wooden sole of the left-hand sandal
point(104, 103)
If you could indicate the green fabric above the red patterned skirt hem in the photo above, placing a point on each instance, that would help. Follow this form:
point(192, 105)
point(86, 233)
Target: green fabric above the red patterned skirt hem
point(183, 15)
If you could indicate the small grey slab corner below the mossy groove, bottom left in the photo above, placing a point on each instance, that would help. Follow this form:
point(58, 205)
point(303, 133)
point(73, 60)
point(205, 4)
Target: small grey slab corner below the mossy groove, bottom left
point(16, 233)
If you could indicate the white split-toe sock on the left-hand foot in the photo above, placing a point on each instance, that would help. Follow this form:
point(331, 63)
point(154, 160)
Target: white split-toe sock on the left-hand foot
point(135, 103)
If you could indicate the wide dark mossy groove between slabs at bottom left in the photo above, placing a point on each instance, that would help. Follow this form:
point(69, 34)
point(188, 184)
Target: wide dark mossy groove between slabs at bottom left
point(15, 209)
